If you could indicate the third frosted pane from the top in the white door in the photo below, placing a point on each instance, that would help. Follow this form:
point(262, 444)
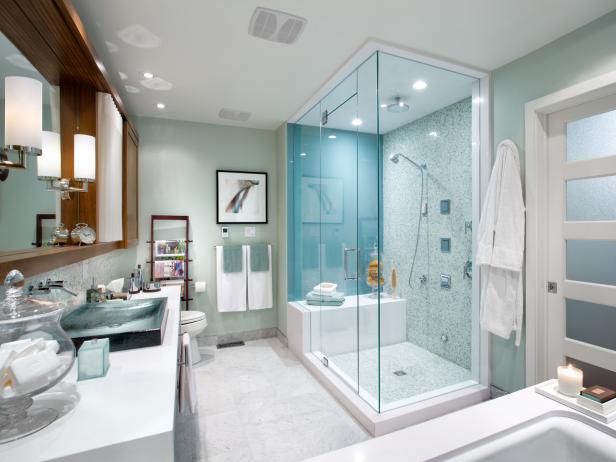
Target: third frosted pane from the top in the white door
point(592, 261)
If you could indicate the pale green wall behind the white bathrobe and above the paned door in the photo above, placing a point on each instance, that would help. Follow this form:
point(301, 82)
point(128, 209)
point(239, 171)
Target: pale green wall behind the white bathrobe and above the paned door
point(585, 53)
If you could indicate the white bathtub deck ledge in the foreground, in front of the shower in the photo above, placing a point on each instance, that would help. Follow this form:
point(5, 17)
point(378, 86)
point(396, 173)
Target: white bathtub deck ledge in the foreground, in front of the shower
point(438, 436)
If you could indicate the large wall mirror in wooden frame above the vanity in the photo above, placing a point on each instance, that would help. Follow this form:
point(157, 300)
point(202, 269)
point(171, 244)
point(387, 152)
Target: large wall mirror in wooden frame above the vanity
point(28, 212)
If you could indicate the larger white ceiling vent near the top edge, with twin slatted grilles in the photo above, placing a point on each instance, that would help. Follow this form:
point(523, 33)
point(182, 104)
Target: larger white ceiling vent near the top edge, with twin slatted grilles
point(275, 25)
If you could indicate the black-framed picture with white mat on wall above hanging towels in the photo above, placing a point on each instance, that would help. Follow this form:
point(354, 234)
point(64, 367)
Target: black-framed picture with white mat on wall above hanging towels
point(241, 197)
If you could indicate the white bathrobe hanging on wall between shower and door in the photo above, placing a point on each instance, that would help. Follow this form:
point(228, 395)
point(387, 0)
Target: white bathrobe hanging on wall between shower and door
point(500, 252)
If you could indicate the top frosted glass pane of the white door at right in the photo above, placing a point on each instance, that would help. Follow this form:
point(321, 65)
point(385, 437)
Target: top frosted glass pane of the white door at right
point(592, 137)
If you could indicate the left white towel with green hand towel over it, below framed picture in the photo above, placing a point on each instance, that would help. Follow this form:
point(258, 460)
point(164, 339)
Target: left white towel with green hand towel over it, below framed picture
point(231, 288)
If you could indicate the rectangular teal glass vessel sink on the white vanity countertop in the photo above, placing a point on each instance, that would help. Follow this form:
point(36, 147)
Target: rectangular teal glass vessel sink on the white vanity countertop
point(127, 324)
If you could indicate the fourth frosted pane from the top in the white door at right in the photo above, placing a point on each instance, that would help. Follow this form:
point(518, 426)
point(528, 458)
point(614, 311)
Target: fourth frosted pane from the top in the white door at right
point(591, 323)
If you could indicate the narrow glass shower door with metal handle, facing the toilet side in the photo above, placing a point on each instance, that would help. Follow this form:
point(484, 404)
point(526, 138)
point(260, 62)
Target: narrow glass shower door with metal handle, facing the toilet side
point(338, 230)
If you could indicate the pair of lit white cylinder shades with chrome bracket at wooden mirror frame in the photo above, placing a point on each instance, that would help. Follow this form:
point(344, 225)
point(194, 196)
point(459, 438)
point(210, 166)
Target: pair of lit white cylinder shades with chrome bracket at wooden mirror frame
point(84, 164)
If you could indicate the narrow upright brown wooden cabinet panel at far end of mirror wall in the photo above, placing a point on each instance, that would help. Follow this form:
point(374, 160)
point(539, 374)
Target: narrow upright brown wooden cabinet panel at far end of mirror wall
point(130, 192)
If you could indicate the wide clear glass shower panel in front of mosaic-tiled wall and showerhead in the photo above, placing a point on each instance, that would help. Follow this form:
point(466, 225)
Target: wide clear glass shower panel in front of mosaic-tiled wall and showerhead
point(431, 127)
